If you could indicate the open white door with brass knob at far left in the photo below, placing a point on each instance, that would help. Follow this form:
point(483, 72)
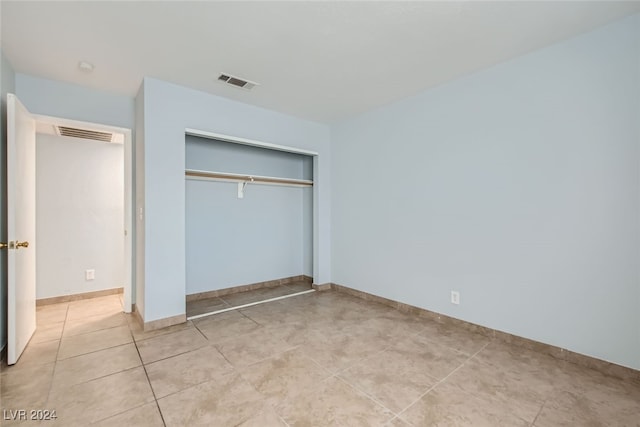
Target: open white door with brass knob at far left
point(21, 228)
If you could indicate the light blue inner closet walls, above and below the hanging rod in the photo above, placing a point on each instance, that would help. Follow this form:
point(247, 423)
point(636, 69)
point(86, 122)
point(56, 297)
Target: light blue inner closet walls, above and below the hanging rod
point(231, 241)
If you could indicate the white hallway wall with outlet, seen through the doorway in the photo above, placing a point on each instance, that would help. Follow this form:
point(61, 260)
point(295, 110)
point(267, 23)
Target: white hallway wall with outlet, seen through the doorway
point(80, 200)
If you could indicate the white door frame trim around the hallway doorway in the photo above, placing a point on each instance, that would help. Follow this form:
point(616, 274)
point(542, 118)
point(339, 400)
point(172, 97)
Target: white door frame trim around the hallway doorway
point(128, 194)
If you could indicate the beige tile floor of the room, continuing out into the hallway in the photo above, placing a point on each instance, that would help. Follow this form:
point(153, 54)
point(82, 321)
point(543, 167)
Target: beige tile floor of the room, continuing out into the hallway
point(313, 360)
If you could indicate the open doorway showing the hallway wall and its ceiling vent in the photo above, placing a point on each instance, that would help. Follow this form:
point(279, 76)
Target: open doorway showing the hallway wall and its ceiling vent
point(83, 210)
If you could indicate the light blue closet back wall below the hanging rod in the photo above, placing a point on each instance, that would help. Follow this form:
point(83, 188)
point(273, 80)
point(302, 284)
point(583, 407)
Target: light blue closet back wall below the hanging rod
point(232, 242)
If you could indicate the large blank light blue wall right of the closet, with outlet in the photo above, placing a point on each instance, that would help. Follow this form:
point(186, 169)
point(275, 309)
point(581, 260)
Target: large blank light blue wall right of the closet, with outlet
point(517, 186)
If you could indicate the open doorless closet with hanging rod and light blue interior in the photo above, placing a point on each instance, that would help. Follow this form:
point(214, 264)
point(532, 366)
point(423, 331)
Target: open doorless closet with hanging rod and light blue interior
point(249, 223)
